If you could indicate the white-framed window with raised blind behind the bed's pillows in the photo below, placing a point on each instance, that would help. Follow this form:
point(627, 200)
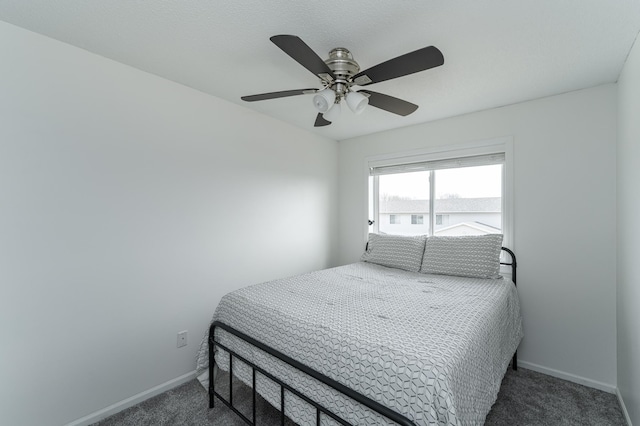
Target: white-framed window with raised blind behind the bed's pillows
point(461, 191)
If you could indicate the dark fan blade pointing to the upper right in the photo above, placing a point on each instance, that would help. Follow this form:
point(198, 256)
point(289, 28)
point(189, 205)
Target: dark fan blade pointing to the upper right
point(409, 63)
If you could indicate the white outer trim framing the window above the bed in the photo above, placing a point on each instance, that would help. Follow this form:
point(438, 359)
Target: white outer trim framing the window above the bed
point(469, 149)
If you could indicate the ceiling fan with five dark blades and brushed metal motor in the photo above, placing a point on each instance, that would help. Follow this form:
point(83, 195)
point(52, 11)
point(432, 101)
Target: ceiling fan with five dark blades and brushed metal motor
point(341, 72)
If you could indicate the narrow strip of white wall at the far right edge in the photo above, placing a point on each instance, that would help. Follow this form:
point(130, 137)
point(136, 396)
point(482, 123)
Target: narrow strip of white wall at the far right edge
point(629, 235)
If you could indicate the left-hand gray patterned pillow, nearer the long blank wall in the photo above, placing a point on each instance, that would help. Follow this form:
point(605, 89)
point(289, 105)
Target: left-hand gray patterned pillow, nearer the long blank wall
point(395, 251)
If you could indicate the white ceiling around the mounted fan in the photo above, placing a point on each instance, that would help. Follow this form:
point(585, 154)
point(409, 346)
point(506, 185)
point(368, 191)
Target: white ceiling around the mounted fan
point(497, 52)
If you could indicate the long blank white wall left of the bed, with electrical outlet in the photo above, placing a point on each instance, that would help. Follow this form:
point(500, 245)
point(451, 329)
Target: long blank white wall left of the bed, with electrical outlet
point(128, 206)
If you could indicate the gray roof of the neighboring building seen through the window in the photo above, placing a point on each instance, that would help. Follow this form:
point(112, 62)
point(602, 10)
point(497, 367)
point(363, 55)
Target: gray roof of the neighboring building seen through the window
point(444, 205)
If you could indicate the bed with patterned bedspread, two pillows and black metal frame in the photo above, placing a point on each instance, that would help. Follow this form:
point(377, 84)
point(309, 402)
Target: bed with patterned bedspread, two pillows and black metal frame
point(386, 340)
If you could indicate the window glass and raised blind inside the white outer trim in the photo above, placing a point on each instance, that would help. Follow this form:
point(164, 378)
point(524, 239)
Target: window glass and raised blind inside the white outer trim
point(438, 198)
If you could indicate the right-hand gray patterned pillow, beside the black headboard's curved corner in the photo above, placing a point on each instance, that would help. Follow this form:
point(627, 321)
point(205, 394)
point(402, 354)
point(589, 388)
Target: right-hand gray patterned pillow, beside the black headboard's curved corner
point(475, 256)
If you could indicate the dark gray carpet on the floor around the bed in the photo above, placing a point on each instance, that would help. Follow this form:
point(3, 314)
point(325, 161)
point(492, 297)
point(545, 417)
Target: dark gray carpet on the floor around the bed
point(525, 398)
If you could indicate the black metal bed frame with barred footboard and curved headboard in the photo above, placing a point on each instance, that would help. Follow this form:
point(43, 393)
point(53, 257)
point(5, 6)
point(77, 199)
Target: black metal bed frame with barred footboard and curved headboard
point(371, 404)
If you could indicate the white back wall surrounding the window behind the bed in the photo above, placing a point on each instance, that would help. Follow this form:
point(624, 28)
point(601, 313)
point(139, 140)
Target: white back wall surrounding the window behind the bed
point(565, 210)
